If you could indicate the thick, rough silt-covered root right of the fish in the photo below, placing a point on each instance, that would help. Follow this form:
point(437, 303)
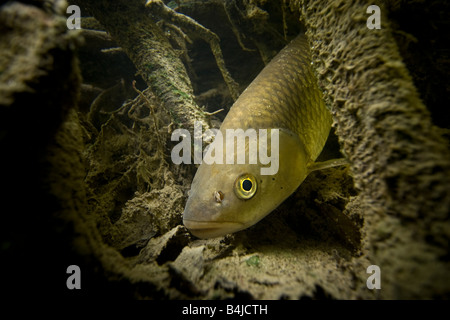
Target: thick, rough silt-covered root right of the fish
point(399, 160)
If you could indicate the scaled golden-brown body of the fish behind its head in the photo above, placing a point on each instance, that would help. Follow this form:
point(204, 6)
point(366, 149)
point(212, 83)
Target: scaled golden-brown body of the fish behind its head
point(285, 95)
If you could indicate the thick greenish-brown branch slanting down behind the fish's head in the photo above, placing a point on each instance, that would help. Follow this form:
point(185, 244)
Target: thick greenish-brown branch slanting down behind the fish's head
point(147, 47)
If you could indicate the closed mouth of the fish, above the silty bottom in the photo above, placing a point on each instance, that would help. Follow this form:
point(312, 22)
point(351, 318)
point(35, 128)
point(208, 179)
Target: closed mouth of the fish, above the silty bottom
point(208, 229)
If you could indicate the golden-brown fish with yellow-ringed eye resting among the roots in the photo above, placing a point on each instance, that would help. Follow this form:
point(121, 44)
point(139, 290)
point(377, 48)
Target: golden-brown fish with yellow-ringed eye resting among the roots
point(226, 198)
